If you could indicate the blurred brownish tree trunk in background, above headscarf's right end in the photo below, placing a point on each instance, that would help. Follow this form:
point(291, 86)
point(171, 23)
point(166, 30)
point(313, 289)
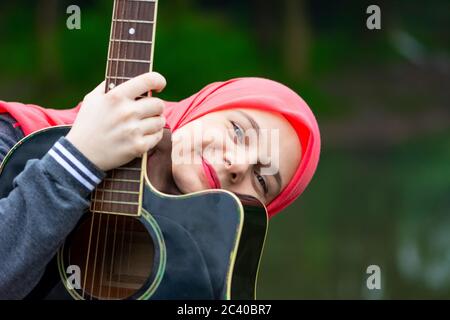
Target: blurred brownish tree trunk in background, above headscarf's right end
point(296, 38)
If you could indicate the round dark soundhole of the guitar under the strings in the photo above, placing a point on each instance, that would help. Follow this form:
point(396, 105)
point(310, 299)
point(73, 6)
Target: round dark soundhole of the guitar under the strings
point(115, 255)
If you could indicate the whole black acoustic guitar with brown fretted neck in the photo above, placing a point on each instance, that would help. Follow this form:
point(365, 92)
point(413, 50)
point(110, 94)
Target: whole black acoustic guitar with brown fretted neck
point(136, 242)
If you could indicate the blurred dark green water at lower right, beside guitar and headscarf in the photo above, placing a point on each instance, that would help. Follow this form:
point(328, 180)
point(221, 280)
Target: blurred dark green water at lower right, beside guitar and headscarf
point(389, 208)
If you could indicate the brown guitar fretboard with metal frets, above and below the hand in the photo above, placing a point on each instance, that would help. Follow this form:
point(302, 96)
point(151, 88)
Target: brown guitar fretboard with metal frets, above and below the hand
point(130, 54)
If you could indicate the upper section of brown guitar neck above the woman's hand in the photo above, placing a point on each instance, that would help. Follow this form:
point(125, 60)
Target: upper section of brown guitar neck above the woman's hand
point(131, 43)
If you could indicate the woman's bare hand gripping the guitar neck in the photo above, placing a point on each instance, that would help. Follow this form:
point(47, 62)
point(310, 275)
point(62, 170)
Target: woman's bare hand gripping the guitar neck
point(112, 129)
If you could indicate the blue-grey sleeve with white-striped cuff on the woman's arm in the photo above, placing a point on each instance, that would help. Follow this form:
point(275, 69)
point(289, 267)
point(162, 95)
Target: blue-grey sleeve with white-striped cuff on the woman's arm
point(48, 198)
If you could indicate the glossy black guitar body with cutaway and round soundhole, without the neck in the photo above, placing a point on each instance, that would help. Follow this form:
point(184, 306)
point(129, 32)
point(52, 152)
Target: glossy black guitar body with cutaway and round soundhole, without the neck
point(205, 245)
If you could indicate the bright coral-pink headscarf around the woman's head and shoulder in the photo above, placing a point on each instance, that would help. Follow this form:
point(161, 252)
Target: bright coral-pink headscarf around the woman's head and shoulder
point(256, 93)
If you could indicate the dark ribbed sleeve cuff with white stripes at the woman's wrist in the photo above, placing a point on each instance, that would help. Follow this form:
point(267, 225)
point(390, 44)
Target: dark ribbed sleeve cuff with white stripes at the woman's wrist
point(80, 168)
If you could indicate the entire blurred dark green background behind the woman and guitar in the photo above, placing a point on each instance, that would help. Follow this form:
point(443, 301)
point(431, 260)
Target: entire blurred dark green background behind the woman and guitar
point(381, 194)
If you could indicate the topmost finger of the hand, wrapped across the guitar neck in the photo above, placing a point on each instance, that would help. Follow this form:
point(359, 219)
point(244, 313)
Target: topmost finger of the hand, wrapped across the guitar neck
point(141, 84)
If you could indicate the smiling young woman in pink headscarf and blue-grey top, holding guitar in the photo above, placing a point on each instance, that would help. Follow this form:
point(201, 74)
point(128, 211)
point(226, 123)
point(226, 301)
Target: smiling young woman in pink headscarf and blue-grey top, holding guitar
point(257, 137)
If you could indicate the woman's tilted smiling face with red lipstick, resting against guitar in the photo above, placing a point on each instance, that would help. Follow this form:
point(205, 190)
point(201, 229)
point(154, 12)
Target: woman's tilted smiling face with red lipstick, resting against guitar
point(245, 151)
